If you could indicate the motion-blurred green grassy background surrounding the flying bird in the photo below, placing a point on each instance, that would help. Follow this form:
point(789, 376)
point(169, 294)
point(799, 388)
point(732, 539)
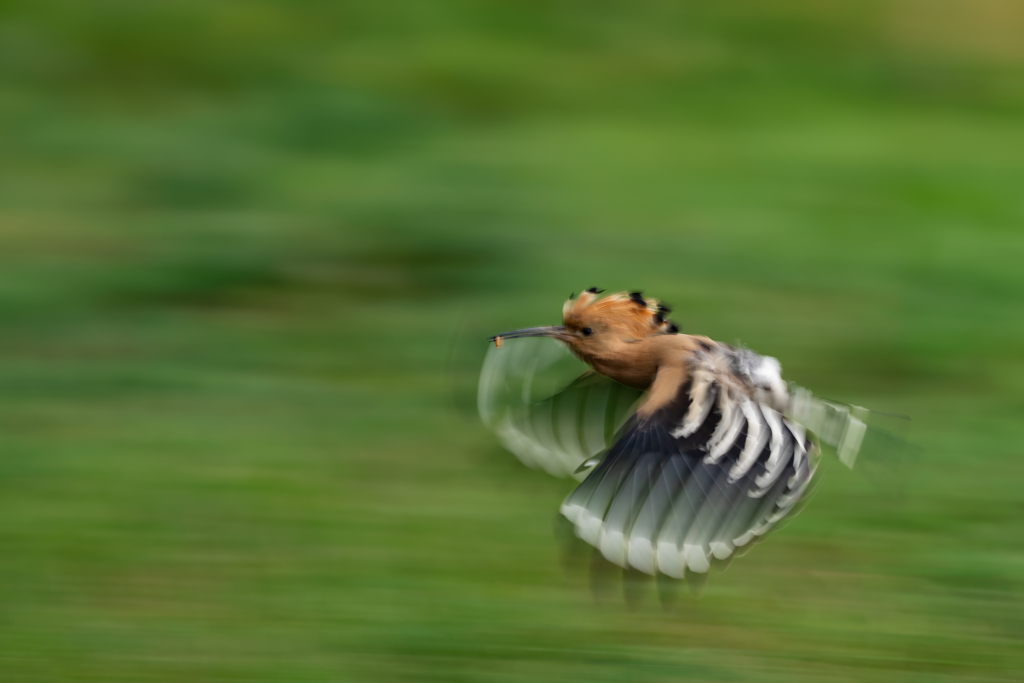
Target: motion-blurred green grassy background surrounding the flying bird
point(250, 253)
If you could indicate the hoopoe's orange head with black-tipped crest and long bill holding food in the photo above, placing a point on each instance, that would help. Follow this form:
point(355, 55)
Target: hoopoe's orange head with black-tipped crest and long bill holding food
point(594, 327)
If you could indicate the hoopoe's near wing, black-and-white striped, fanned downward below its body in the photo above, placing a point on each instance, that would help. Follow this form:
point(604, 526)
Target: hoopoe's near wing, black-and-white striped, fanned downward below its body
point(694, 483)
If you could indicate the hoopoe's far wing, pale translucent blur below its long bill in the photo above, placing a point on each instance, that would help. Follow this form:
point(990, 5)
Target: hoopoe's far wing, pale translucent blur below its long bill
point(528, 397)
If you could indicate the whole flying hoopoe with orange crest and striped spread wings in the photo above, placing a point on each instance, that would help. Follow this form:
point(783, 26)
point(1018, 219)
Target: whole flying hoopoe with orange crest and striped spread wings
point(712, 448)
